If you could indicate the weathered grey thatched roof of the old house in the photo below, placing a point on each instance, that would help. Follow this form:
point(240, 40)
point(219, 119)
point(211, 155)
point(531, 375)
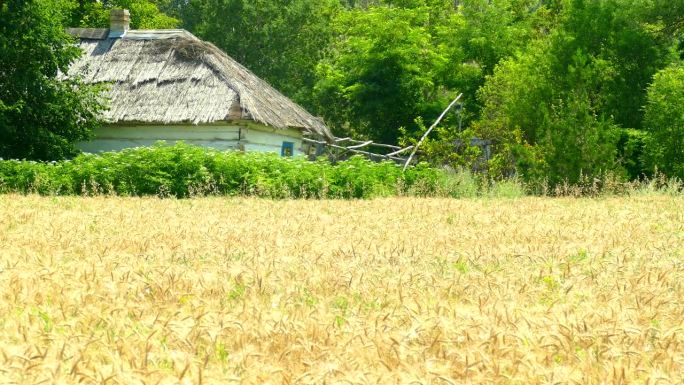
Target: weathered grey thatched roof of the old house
point(170, 76)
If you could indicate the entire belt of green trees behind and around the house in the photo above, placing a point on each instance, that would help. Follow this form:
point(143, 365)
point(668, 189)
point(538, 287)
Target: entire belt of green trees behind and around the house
point(563, 89)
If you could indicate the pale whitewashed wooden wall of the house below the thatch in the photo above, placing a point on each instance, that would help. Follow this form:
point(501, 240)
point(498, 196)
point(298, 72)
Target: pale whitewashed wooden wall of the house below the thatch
point(221, 137)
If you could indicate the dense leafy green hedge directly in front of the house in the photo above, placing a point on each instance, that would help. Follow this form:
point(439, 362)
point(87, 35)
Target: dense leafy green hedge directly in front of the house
point(183, 171)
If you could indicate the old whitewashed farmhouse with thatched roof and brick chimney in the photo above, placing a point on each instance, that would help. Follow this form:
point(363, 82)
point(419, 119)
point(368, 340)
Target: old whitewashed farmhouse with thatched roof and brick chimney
point(169, 85)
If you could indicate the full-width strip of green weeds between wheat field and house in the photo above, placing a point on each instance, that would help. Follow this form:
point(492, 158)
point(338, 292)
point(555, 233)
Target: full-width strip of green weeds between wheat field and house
point(187, 171)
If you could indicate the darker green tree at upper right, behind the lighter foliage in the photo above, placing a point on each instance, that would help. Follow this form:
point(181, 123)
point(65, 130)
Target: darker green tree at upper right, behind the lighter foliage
point(612, 34)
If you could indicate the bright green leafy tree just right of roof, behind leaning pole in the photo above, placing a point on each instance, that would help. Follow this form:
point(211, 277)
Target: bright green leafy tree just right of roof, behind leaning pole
point(398, 61)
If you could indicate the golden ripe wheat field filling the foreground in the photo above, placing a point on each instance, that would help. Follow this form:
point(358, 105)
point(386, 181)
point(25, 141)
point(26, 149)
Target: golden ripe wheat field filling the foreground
point(133, 291)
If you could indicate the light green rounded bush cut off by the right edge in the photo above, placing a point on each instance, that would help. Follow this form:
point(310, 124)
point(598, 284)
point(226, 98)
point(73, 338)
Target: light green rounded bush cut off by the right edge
point(664, 147)
